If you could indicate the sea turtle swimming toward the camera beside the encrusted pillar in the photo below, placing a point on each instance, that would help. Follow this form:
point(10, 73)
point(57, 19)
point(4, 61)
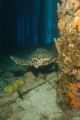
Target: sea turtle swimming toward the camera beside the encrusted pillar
point(40, 57)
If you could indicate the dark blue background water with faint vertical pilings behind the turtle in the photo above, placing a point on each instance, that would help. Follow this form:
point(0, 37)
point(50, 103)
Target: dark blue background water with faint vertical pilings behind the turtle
point(27, 24)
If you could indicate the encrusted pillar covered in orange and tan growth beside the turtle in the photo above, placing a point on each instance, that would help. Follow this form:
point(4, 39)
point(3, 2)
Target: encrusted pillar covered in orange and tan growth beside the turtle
point(68, 49)
